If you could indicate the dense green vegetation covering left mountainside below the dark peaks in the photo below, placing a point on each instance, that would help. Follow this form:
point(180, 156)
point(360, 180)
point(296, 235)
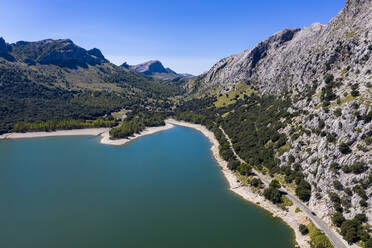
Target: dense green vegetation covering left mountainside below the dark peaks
point(49, 93)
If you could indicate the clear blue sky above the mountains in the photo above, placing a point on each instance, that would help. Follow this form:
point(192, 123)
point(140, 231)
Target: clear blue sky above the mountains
point(188, 36)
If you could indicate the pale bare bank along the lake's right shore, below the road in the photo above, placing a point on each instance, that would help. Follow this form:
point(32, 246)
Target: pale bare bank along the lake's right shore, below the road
point(291, 218)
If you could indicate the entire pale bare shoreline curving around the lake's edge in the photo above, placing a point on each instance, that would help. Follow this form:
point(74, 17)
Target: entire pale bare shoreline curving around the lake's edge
point(291, 218)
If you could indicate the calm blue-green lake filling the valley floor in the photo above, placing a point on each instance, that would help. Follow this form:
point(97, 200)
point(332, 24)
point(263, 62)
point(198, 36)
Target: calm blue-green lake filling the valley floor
point(162, 190)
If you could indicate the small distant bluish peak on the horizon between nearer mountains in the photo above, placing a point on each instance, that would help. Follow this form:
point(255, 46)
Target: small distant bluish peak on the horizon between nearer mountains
point(156, 69)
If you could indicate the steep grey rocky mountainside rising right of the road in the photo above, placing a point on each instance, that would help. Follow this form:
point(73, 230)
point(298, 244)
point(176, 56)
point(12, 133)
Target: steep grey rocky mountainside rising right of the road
point(326, 71)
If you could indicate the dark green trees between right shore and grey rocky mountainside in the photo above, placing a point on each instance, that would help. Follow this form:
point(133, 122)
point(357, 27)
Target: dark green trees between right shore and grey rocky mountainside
point(252, 123)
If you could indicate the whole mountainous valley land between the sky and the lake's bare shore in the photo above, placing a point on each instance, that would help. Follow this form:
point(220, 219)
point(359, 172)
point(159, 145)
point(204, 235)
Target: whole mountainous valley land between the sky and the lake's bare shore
point(292, 115)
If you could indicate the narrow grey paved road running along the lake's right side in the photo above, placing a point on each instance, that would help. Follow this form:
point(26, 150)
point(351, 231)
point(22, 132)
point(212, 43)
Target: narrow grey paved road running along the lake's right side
point(316, 220)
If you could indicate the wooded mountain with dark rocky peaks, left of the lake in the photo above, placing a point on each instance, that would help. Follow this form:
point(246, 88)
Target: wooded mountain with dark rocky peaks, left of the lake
point(56, 79)
